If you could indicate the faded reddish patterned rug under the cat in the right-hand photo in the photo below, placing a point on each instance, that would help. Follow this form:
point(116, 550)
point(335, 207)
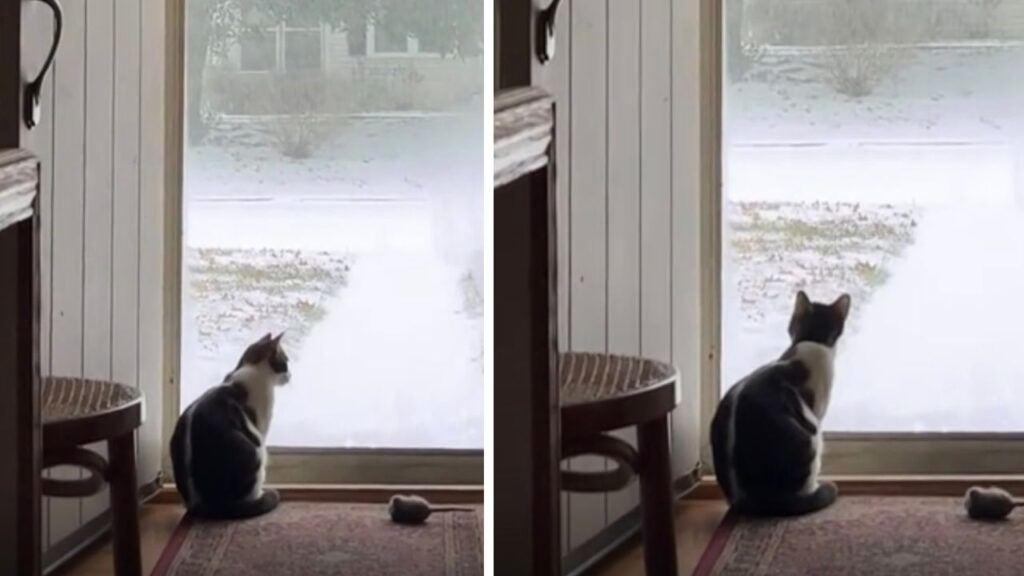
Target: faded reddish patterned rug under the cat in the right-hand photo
point(874, 537)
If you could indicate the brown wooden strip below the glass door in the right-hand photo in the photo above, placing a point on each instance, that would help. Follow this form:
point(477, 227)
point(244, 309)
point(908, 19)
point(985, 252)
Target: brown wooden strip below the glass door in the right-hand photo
point(949, 486)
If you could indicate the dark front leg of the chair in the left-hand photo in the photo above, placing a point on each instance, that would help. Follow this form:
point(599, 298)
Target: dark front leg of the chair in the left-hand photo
point(124, 506)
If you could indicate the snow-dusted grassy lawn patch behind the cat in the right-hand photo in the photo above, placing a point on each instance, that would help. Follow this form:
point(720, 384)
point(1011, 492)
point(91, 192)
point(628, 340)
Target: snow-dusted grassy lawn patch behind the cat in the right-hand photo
point(774, 250)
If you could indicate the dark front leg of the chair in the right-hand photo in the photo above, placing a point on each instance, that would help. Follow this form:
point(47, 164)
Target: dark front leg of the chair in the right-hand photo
point(656, 499)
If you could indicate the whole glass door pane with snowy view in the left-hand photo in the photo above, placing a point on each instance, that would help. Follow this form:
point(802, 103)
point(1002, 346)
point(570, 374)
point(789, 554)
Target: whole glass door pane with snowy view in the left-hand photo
point(312, 205)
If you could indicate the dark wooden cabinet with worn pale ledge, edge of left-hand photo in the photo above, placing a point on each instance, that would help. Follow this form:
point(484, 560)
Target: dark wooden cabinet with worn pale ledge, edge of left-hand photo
point(21, 536)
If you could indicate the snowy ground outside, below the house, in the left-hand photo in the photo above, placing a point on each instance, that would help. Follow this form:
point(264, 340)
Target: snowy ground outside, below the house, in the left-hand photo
point(385, 225)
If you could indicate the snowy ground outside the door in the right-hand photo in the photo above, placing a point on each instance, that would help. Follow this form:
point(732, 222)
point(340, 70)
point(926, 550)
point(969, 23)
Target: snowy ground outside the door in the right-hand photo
point(920, 215)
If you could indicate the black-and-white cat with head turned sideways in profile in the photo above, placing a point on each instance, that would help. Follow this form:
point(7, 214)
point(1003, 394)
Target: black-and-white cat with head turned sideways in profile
point(219, 449)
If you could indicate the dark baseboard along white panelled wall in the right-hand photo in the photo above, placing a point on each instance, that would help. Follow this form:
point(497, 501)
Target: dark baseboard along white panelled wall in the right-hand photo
point(587, 557)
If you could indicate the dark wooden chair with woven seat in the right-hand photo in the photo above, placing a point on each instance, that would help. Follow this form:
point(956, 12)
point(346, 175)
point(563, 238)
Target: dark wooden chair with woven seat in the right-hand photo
point(603, 393)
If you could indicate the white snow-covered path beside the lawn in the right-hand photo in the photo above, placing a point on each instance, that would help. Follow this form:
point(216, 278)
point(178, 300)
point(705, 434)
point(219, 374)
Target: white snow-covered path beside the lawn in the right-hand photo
point(942, 346)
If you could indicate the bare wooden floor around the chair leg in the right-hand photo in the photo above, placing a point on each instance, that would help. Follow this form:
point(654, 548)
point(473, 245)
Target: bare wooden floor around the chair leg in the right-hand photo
point(696, 523)
